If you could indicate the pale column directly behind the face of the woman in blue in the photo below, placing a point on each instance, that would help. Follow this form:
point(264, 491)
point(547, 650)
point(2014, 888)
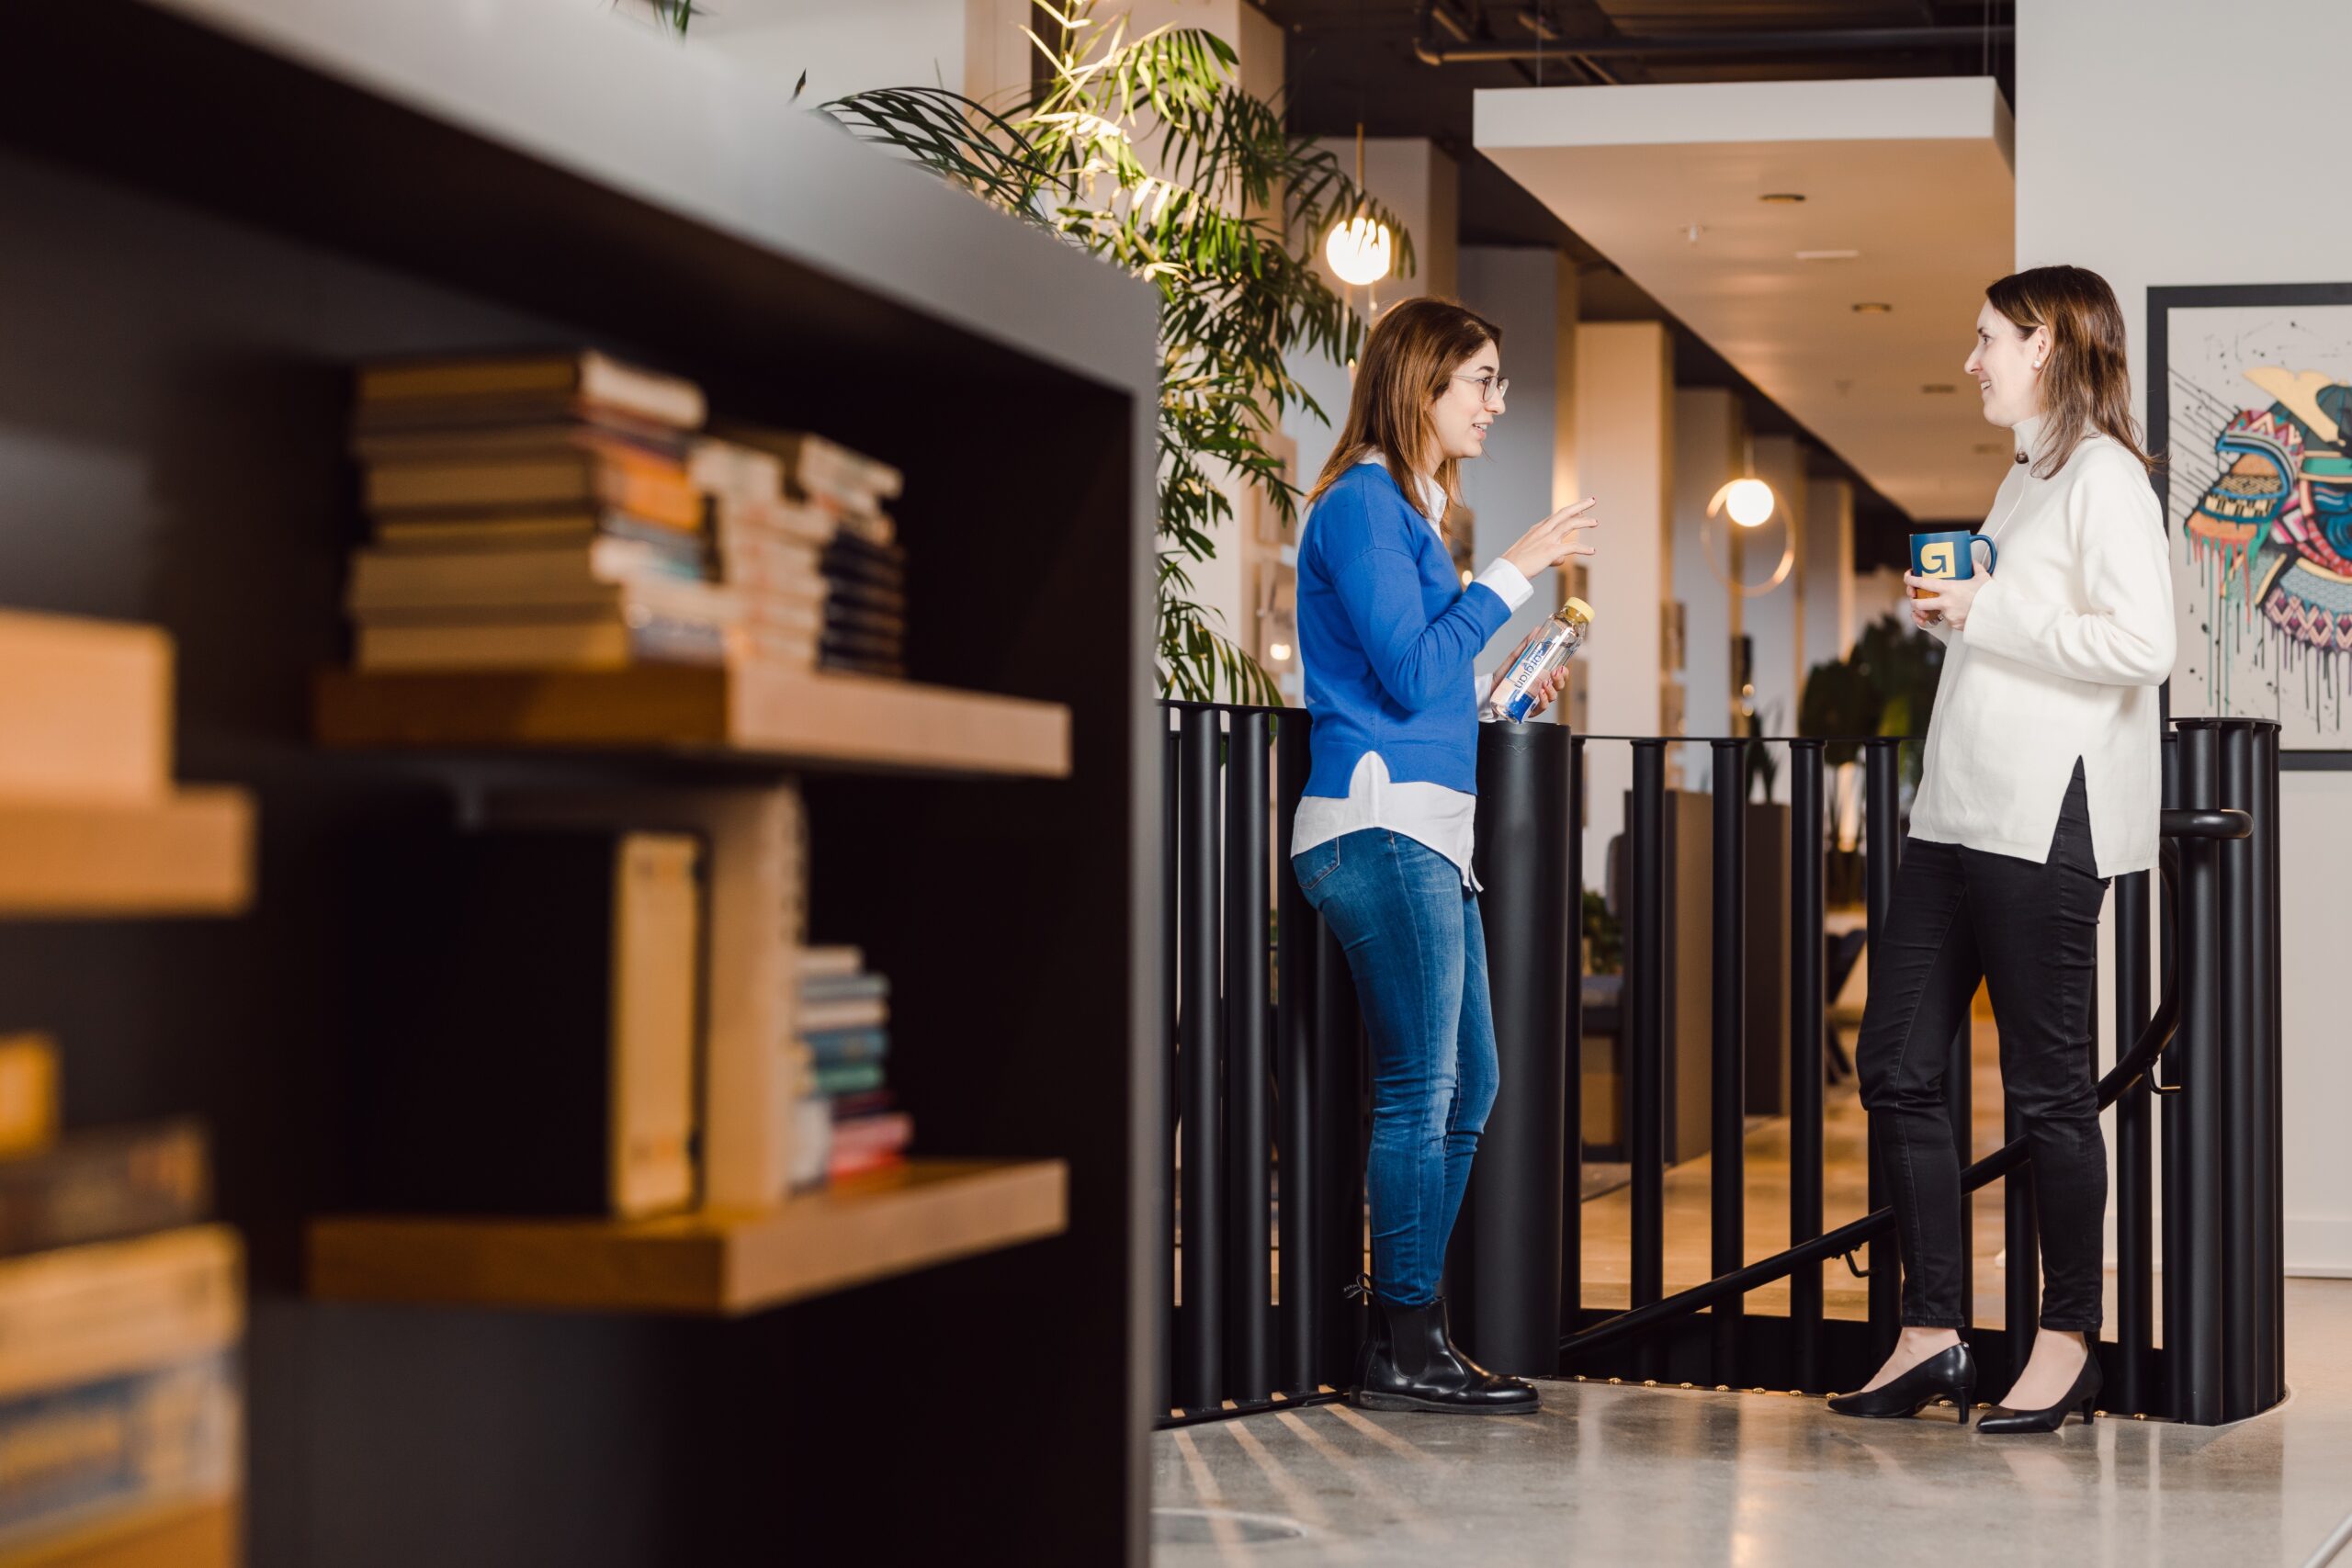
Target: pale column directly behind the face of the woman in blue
point(1530, 467)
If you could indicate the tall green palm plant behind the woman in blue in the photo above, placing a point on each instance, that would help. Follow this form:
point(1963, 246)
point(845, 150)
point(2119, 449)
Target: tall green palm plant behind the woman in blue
point(1149, 154)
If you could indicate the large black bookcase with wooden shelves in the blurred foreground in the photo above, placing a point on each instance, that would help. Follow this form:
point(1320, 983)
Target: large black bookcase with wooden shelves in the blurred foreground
point(544, 173)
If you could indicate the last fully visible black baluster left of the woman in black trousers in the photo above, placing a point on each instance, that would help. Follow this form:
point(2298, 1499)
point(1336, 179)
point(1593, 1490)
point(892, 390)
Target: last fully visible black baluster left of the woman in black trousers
point(1805, 1024)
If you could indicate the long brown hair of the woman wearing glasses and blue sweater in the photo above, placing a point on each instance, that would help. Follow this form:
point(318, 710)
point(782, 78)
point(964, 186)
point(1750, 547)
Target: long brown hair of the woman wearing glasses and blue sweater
point(1408, 361)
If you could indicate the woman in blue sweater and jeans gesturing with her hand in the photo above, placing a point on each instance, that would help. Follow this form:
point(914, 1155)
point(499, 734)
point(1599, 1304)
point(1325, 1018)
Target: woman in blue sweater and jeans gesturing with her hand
point(1389, 636)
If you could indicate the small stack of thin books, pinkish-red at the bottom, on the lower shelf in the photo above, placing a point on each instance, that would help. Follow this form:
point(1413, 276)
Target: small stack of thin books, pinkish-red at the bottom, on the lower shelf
point(846, 1033)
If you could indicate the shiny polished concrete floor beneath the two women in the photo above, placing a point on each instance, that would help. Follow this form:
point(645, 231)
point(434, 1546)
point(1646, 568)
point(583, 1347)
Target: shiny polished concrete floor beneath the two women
point(1615, 1475)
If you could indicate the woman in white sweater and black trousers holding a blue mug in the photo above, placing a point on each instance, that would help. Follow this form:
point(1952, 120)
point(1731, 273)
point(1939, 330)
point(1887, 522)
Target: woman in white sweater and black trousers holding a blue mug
point(2043, 782)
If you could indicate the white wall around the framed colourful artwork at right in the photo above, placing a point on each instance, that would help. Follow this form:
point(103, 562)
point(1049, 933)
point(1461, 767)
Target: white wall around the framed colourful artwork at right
point(2139, 126)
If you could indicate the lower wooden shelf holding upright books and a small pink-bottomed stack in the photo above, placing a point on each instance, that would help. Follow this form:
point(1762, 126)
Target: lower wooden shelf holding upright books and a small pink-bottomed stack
point(714, 1264)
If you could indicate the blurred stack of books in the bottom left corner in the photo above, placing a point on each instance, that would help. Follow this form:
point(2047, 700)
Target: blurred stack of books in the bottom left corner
point(121, 1318)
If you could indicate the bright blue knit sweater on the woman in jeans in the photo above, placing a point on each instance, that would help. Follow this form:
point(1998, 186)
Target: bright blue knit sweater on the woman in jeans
point(1389, 638)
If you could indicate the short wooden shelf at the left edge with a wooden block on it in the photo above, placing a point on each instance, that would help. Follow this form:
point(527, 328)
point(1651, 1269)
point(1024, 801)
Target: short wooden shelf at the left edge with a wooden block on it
point(187, 855)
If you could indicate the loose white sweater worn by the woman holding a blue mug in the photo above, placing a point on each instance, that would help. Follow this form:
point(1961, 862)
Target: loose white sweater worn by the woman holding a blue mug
point(2059, 659)
